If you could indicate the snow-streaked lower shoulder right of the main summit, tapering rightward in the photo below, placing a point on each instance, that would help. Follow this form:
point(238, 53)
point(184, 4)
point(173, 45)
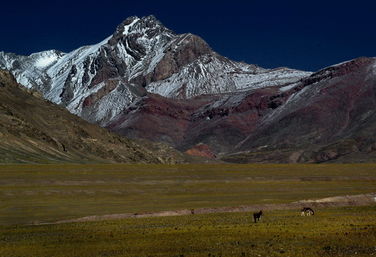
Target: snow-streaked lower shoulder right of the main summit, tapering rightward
point(212, 75)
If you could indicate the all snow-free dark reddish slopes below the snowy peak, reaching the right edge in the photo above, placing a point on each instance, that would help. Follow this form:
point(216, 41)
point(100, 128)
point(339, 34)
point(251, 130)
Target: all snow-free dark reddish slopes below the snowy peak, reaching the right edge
point(327, 116)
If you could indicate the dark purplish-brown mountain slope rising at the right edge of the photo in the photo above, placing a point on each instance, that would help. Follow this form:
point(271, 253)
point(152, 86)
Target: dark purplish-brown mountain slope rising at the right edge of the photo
point(329, 116)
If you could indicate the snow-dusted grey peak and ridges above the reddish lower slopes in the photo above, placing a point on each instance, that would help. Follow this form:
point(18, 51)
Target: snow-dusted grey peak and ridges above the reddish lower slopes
point(98, 82)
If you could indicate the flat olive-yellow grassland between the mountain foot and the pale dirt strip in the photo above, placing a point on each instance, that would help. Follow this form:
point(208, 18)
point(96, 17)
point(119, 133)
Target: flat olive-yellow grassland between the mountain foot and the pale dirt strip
point(45, 193)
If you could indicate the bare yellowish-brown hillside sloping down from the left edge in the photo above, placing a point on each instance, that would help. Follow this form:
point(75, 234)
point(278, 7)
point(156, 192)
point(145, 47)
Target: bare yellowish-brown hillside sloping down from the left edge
point(35, 130)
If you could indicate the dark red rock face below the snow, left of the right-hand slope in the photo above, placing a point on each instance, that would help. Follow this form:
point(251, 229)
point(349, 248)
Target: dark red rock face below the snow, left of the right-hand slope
point(218, 121)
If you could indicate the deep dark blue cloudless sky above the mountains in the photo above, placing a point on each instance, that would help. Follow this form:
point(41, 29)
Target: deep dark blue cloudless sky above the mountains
point(306, 35)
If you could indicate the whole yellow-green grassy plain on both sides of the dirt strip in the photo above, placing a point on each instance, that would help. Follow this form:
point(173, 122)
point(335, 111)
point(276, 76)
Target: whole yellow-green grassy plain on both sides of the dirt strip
point(48, 193)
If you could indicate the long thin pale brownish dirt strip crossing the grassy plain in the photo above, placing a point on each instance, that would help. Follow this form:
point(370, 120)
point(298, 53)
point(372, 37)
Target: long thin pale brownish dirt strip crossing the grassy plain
point(337, 201)
